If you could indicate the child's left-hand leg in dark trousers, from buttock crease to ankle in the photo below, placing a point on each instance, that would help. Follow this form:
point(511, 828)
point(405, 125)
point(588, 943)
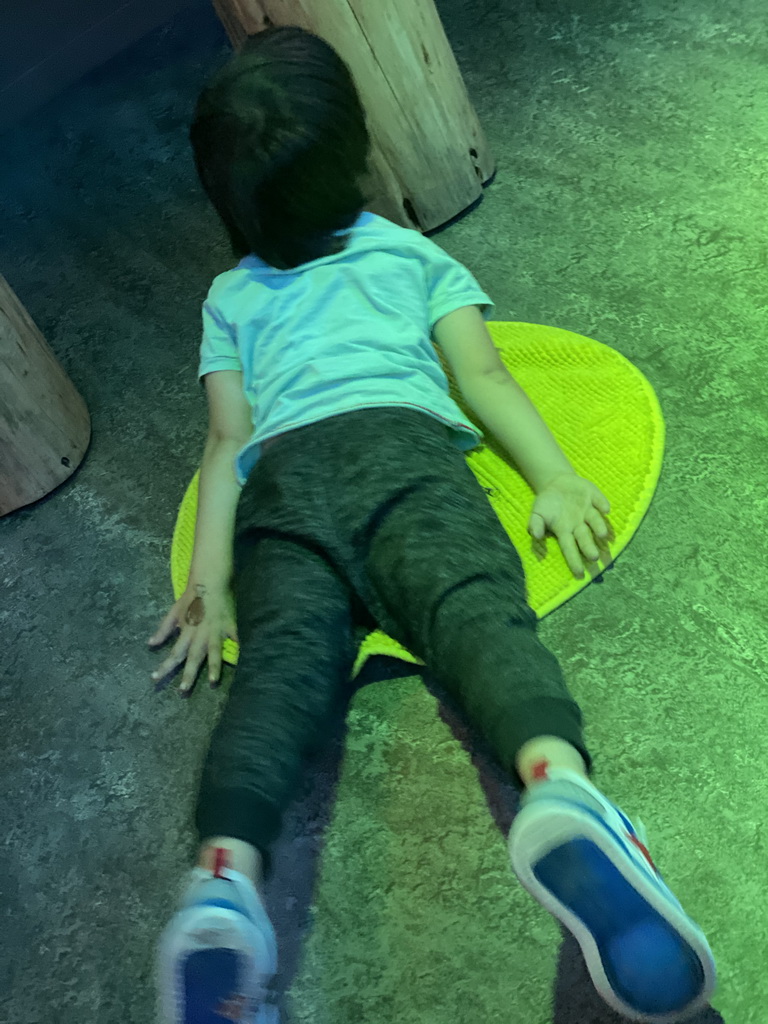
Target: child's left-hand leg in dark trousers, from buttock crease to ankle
point(297, 648)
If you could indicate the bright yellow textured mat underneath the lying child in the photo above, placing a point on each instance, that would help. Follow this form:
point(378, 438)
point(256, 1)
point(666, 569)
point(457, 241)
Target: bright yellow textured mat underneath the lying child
point(606, 417)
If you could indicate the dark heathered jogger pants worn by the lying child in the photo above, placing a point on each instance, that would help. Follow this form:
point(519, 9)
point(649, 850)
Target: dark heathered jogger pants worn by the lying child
point(371, 519)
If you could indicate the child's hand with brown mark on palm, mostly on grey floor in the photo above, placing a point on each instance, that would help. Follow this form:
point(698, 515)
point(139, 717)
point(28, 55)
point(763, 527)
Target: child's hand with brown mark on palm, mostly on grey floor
point(198, 642)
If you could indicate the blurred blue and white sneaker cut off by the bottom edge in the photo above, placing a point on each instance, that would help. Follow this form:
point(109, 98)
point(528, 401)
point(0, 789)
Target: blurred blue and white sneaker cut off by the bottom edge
point(218, 958)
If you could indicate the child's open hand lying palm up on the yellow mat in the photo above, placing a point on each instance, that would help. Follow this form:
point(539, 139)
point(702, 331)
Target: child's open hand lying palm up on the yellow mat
point(571, 508)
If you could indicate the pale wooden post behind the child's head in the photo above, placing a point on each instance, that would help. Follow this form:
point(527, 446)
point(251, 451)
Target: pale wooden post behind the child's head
point(430, 156)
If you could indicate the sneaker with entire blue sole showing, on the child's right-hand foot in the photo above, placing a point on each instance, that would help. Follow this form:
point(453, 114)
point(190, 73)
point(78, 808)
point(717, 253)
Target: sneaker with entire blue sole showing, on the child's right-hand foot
point(582, 859)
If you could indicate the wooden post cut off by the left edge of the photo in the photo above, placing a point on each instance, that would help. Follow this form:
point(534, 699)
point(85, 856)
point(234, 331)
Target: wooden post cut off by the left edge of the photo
point(46, 428)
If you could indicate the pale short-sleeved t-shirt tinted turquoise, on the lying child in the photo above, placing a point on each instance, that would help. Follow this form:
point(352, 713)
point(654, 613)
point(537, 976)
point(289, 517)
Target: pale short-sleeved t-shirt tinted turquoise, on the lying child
point(346, 332)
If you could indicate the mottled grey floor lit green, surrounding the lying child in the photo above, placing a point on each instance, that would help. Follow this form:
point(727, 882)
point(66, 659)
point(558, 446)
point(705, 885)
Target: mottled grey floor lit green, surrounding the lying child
point(629, 207)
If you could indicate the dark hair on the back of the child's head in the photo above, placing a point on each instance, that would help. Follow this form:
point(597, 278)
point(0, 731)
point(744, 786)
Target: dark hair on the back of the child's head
point(281, 144)
